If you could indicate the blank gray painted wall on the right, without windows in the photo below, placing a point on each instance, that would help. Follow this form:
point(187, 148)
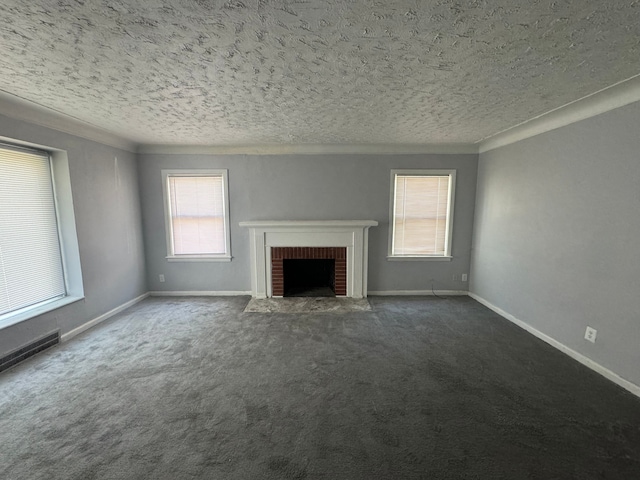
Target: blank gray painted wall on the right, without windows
point(556, 236)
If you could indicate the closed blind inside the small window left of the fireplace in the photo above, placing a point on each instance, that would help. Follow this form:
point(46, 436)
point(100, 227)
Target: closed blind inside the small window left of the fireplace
point(197, 214)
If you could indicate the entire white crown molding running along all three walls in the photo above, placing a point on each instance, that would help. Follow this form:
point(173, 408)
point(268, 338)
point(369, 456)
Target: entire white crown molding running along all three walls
point(615, 96)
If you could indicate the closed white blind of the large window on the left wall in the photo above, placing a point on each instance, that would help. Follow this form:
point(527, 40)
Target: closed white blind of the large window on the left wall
point(31, 269)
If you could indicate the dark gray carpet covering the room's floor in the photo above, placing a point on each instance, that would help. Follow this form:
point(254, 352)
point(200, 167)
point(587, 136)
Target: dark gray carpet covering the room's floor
point(418, 388)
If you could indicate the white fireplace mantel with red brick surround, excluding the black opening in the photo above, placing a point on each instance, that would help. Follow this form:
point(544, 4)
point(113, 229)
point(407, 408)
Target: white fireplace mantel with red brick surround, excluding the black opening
point(343, 241)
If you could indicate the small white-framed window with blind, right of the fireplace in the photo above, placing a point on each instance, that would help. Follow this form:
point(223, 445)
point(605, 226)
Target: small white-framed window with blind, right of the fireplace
point(421, 214)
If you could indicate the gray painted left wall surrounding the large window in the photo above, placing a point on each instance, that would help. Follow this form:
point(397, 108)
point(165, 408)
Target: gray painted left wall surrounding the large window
point(107, 212)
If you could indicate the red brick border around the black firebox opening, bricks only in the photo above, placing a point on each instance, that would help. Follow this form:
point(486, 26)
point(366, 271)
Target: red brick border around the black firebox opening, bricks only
point(279, 254)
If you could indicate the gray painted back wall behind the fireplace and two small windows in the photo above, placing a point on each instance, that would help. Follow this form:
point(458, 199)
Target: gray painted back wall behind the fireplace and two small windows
point(305, 187)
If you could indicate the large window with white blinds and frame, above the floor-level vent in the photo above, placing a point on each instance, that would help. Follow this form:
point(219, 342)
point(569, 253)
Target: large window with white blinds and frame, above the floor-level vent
point(34, 277)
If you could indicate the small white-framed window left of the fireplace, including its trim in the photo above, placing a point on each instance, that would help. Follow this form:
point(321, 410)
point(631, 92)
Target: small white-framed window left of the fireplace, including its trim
point(197, 215)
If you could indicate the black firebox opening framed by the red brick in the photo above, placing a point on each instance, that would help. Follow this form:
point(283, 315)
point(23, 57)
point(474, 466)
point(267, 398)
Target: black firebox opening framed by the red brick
point(309, 277)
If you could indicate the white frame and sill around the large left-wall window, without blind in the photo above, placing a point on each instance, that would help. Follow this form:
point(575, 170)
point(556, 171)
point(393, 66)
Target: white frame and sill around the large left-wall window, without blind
point(67, 234)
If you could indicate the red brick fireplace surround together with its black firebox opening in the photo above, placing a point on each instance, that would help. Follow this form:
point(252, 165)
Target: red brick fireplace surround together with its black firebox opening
point(296, 269)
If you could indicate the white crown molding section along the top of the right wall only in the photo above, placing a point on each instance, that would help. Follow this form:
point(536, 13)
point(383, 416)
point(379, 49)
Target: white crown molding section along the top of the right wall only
point(615, 96)
